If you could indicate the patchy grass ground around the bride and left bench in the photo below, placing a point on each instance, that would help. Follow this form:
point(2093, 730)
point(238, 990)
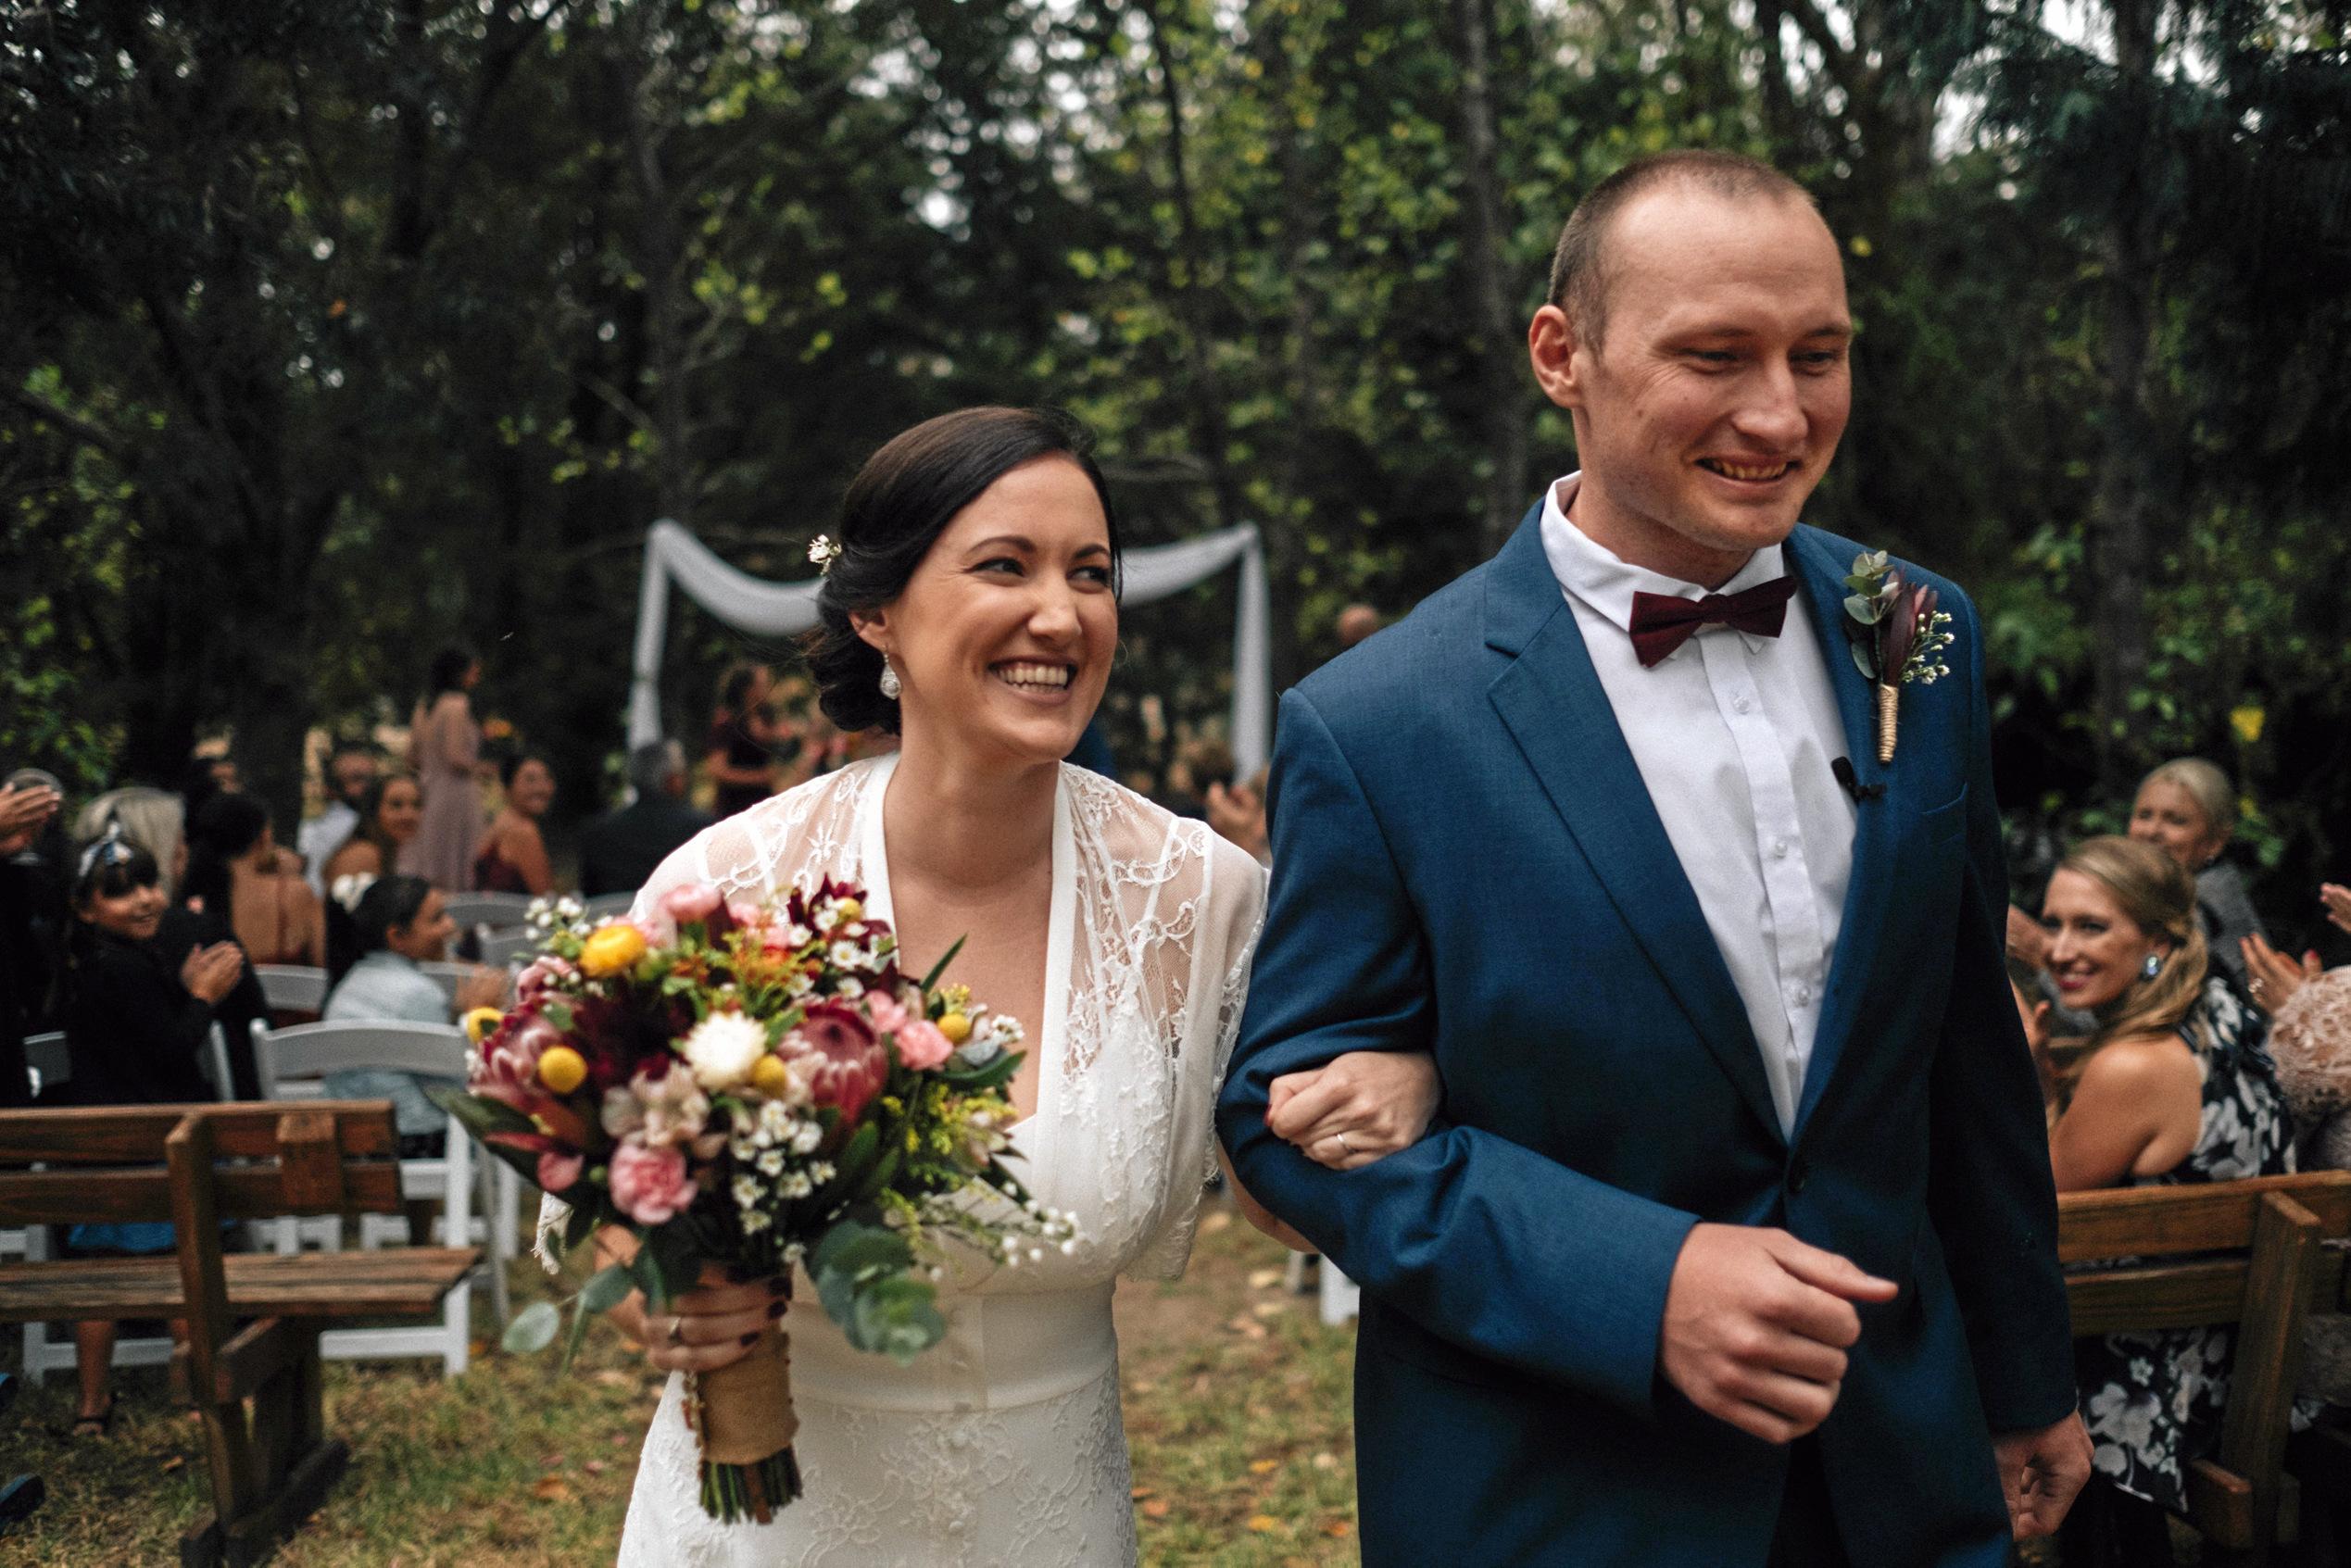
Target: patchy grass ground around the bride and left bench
point(1235, 1409)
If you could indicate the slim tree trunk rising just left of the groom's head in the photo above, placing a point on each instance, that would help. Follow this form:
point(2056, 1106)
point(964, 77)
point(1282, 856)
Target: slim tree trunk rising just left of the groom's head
point(1494, 333)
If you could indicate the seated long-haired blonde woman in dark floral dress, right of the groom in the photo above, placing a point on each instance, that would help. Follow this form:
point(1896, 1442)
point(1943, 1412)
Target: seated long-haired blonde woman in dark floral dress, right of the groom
point(2171, 1090)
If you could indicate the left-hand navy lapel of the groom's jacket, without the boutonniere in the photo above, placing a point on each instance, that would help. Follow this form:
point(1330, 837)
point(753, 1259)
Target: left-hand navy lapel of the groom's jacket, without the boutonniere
point(1558, 711)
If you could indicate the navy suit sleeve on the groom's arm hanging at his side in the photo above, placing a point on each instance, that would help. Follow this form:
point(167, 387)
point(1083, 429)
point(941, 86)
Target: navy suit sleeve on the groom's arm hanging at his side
point(1990, 1188)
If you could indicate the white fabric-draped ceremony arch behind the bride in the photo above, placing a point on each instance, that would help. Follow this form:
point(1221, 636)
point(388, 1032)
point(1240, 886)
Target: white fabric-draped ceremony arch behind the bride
point(779, 610)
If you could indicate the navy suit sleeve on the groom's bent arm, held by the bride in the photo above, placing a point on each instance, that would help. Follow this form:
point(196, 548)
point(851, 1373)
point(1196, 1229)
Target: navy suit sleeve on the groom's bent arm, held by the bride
point(1478, 1240)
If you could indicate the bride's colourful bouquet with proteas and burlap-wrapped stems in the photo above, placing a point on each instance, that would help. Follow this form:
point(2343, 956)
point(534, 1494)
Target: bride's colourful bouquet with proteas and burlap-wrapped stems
point(751, 1087)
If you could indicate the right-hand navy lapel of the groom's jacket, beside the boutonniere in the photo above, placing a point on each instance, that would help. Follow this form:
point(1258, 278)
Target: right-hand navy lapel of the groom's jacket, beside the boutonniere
point(1861, 934)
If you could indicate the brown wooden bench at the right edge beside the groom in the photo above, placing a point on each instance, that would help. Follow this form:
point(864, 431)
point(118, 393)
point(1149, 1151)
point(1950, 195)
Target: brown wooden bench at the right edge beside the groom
point(2258, 1257)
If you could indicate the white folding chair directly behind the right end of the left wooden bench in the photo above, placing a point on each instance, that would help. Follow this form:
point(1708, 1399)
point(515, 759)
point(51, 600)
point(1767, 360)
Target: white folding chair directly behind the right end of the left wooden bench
point(293, 1066)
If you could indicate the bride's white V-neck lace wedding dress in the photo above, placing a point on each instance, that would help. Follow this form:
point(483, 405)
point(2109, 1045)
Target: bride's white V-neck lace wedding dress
point(1003, 1445)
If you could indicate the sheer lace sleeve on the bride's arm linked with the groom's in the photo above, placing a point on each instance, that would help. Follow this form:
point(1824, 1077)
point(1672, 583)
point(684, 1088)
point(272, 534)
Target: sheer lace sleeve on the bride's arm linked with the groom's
point(1228, 942)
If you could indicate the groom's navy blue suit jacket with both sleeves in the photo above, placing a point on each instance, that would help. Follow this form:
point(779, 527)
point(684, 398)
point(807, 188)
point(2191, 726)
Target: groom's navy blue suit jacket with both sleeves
point(1466, 862)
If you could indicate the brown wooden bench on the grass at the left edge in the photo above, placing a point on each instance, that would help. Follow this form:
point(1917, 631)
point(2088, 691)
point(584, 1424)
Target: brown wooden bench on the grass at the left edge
point(203, 1165)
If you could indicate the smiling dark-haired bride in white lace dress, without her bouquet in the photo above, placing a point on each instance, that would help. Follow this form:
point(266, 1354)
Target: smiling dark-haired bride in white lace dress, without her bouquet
point(974, 612)
